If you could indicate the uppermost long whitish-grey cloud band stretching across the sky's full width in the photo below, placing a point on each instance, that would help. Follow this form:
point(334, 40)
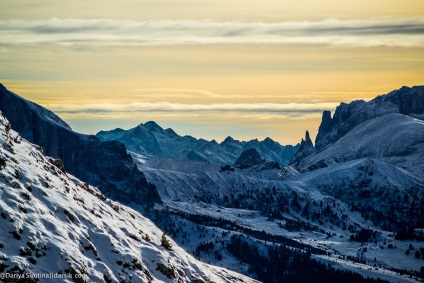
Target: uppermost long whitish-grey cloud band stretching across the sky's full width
point(110, 32)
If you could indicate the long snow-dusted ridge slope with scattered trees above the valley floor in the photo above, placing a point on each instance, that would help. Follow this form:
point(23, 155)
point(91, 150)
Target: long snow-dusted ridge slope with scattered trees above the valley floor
point(360, 184)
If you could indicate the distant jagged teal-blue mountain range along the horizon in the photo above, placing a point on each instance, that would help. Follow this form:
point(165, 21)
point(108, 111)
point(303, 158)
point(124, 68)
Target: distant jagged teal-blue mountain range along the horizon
point(151, 140)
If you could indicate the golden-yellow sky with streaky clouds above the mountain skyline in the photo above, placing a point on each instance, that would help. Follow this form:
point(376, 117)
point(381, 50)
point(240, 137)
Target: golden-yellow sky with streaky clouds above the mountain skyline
point(210, 69)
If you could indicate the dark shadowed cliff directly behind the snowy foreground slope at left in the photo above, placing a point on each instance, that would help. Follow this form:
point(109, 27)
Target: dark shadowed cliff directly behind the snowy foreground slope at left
point(104, 164)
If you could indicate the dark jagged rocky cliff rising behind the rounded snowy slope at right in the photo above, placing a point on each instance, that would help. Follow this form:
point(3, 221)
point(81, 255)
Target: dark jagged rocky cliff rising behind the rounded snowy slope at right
point(406, 101)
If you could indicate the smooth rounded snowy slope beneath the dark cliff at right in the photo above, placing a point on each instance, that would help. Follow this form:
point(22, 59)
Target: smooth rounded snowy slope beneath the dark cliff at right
point(394, 138)
